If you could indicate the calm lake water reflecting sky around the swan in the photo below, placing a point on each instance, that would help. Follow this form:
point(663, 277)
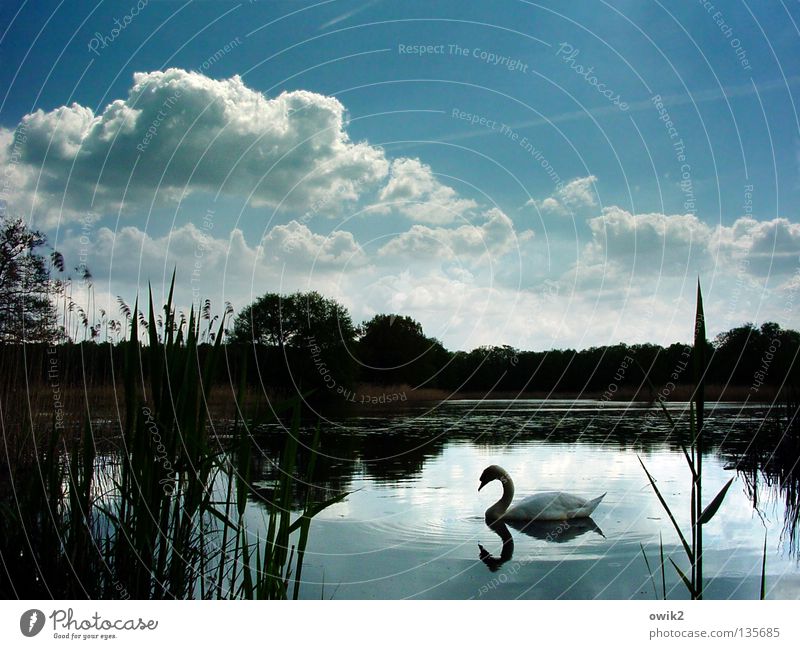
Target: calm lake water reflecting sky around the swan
point(414, 526)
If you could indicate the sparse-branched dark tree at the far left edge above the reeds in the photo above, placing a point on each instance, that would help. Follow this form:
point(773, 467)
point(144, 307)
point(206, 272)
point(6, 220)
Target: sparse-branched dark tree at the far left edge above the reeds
point(27, 291)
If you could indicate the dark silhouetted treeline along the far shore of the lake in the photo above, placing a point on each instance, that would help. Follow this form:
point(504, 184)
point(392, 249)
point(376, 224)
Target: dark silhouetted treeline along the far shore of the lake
point(307, 343)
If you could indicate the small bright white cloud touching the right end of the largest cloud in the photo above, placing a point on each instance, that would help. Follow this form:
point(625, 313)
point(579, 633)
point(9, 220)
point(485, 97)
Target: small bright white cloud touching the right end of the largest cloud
point(414, 191)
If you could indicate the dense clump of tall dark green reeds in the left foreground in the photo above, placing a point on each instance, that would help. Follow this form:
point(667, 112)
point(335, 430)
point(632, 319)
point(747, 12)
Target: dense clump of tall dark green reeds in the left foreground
point(164, 517)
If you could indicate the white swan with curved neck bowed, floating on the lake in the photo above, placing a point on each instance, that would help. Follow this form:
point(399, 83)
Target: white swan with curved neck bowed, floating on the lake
point(546, 506)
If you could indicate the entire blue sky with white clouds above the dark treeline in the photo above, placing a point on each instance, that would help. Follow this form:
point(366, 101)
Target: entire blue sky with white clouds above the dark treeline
point(542, 175)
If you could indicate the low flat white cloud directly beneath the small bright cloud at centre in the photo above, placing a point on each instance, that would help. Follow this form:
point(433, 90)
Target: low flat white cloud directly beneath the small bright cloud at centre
point(495, 237)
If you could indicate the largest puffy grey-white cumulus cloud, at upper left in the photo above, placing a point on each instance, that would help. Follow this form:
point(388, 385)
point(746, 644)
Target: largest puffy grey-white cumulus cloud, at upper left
point(179, 132)
